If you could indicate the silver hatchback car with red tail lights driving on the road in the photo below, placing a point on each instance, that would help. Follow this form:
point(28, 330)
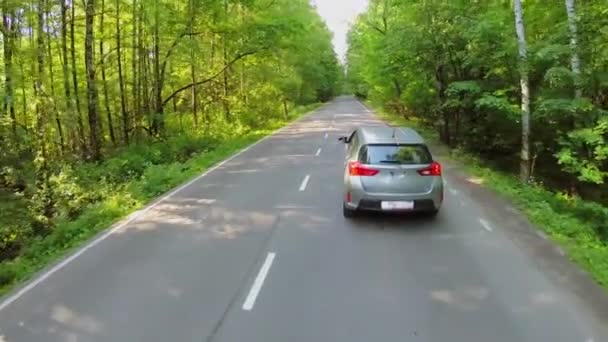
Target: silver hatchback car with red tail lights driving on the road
point(390, 169)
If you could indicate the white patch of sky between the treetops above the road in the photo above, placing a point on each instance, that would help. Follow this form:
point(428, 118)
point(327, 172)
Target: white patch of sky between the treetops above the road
point(339, 14)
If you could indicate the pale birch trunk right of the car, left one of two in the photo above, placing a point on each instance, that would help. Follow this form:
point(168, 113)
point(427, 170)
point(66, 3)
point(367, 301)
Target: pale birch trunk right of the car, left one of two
point(525, 92)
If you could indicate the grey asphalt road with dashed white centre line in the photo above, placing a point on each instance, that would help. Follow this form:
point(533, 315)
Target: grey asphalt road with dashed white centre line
point(257, 250)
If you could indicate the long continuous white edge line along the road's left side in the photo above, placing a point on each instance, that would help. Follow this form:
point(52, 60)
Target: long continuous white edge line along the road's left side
point(131, 218)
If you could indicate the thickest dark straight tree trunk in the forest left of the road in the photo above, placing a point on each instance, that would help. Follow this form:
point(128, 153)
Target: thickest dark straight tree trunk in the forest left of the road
point(92, 94)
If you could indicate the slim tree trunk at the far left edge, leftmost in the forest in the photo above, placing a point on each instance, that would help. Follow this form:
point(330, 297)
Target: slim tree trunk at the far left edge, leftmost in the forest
point(9, 34)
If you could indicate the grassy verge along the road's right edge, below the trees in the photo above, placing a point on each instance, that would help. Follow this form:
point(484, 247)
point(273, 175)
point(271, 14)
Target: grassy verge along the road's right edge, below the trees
point(578, 226)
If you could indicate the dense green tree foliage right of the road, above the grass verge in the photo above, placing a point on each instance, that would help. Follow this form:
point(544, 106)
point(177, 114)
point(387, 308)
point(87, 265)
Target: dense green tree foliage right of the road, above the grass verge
point(455, 67)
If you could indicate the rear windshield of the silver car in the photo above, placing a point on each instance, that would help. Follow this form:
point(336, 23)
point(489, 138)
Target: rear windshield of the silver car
point(395, 154)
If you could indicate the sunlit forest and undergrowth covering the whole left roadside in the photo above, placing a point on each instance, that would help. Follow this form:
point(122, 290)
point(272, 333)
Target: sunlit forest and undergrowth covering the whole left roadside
point(106, 104)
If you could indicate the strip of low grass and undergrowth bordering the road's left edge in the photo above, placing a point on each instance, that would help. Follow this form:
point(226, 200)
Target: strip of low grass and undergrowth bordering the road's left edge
point(114, 199)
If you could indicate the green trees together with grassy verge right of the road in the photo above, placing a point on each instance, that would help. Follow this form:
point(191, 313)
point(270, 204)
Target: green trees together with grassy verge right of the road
point(517, 90)
